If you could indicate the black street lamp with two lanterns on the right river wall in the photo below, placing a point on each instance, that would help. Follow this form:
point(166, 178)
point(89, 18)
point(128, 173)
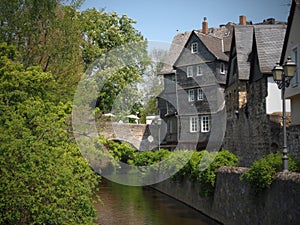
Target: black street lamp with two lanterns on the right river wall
point(282, 75)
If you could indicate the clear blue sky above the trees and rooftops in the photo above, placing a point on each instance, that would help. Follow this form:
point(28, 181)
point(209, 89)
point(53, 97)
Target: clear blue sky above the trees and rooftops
point(159, 20)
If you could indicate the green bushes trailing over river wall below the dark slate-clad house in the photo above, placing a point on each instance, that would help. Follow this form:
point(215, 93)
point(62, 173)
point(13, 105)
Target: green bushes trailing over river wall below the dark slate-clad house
point(201, 166)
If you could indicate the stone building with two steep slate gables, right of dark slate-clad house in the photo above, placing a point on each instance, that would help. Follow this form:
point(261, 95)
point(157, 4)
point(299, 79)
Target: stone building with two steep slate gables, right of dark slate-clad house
point(252, 98)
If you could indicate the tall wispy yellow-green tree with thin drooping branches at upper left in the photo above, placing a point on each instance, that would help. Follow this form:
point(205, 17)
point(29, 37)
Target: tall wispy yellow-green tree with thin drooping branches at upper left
point(46, 33)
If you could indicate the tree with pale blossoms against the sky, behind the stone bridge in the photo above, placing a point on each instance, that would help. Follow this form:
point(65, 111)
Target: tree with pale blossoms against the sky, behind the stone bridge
point(114, 54)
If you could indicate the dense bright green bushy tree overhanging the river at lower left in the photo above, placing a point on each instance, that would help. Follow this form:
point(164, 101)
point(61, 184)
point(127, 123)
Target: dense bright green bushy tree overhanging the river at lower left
point(44, 179)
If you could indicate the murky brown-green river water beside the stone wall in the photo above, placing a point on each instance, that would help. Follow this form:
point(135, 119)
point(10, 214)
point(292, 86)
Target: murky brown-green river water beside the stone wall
point(124, 205)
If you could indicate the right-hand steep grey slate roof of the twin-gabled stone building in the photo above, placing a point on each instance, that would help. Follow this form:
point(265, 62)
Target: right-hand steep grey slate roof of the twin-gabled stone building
point(269, 43)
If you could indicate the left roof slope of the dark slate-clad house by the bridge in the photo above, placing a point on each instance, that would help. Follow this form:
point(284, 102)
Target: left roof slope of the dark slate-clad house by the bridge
point(174, 52)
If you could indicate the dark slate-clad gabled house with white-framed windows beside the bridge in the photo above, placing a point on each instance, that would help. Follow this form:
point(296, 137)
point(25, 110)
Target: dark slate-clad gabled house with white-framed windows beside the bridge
point(194, 78)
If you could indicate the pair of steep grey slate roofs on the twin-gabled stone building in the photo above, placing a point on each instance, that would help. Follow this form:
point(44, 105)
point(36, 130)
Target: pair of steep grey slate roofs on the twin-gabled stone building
point(269, 41)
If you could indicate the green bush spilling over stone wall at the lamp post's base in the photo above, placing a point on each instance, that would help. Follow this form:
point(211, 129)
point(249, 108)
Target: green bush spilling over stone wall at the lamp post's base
point(262, 172)
